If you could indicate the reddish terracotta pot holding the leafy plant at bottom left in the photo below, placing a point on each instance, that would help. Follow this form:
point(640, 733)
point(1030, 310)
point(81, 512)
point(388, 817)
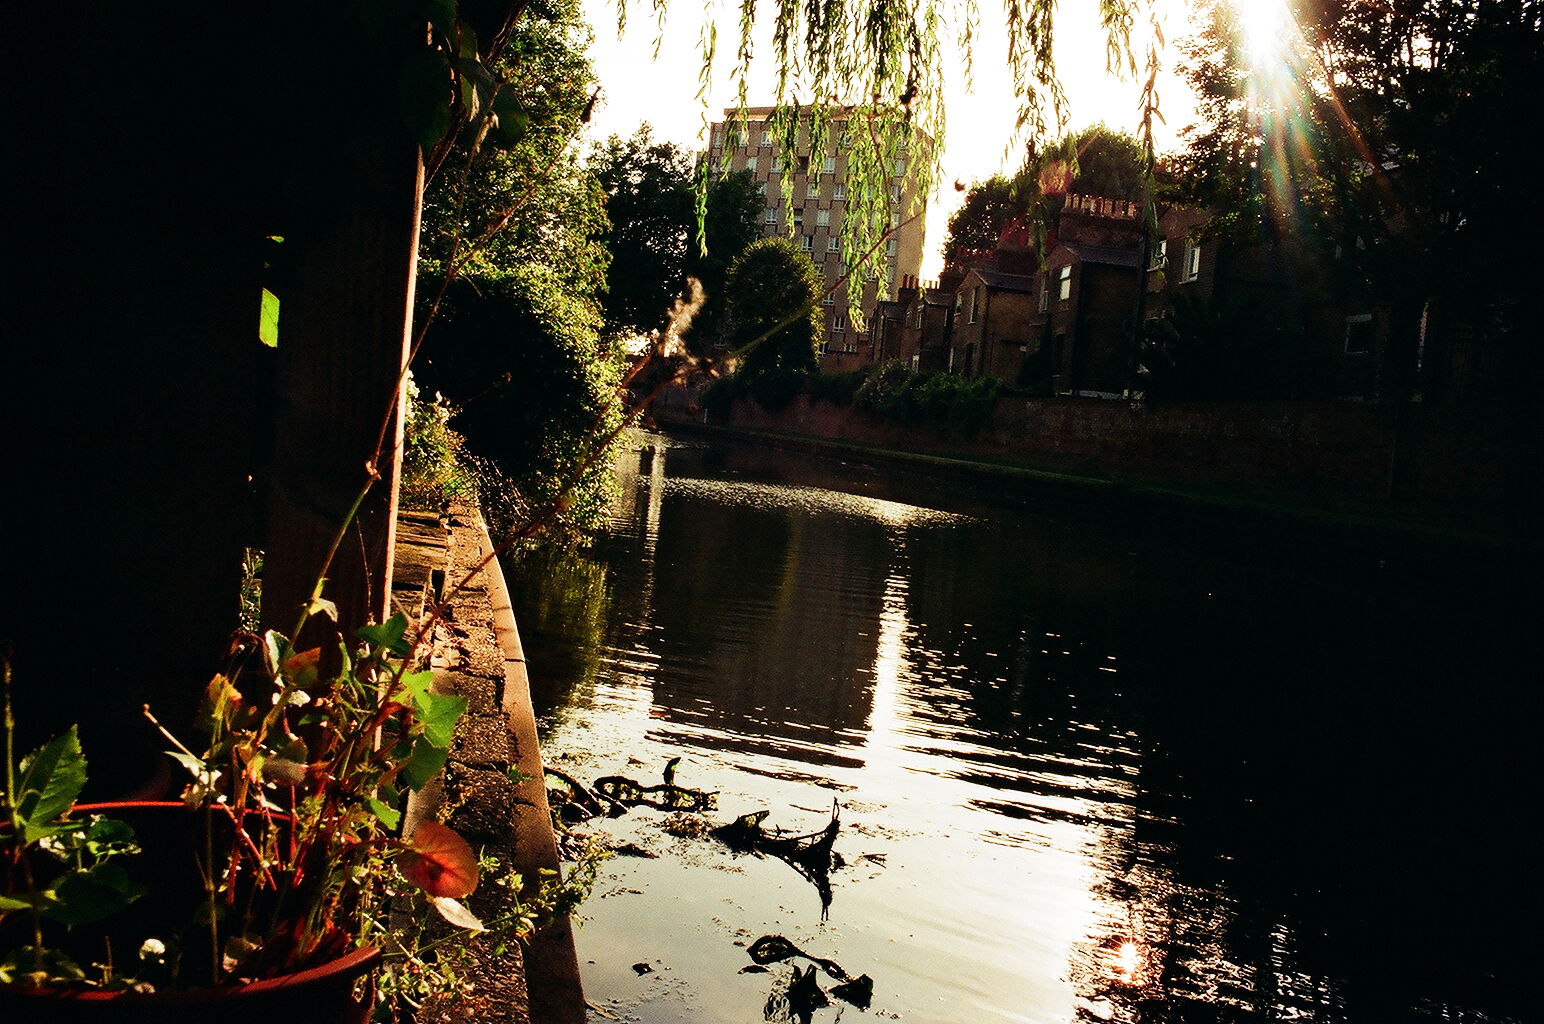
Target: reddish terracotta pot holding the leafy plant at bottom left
point(168, 833)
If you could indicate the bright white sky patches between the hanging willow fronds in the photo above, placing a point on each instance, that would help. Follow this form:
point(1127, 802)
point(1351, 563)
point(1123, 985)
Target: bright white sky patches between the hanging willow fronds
point(638, 89)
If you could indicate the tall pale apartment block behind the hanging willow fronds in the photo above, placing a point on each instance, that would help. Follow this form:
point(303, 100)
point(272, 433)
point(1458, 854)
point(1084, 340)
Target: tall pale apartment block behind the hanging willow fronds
point(814, 219)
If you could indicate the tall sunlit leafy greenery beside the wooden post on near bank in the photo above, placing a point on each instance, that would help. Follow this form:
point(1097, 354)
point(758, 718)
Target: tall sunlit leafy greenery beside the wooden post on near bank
point(515, 347)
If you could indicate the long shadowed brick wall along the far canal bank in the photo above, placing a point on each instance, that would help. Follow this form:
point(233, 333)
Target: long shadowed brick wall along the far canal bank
point(1310, 452)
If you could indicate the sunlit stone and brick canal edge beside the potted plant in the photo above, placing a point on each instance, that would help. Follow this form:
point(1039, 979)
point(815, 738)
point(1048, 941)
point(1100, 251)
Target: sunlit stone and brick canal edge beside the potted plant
point(493, 779)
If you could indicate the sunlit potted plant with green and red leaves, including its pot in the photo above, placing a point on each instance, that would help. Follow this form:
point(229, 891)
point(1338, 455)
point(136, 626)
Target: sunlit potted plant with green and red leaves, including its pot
point(282, 878)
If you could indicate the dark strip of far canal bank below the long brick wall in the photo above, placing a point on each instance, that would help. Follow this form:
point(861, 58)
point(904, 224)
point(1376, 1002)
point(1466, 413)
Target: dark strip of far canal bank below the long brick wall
point(1444, 540)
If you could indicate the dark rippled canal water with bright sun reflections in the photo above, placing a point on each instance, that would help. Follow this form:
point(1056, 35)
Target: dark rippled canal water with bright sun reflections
point(1085, 773)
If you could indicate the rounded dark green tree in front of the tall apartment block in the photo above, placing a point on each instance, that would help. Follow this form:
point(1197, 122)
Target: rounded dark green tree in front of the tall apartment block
point(774, 310)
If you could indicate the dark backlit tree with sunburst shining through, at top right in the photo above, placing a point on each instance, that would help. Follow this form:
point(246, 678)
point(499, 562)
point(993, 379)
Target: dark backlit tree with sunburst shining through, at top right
point(1381, 141)
